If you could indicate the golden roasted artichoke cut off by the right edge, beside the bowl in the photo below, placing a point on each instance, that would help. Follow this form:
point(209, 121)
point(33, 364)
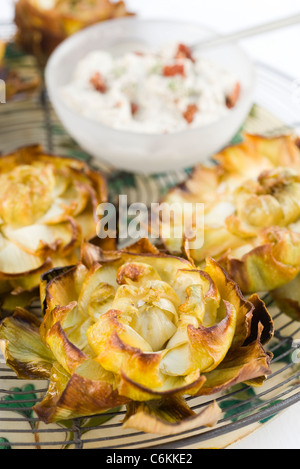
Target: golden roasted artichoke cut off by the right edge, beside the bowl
point(251, 203)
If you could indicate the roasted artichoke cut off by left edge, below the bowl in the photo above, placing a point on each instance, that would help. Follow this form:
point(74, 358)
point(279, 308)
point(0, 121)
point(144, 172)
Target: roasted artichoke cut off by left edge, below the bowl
point(47, 208)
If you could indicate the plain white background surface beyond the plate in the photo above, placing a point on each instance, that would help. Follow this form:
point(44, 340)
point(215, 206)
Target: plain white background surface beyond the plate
point(279, 49)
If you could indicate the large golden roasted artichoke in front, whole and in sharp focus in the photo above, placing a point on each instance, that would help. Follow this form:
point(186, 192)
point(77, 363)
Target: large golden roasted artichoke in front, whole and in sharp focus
point(141, 328)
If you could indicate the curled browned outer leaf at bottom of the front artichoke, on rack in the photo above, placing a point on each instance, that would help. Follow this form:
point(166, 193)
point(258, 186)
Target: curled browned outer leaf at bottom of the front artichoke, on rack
point(169, 416)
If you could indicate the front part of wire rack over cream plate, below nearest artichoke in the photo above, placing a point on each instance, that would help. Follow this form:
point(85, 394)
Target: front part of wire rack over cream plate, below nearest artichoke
point(242, 407)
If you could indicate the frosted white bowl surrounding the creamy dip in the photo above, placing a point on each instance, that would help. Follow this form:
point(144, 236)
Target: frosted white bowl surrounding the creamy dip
point(137, 152)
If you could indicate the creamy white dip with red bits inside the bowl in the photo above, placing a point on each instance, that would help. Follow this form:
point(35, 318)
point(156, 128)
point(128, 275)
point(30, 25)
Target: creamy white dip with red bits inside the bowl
point(154, 92)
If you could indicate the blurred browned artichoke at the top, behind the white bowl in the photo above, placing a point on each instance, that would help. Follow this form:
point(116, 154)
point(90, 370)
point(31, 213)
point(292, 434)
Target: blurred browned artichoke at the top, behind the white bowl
point(43, 24)
